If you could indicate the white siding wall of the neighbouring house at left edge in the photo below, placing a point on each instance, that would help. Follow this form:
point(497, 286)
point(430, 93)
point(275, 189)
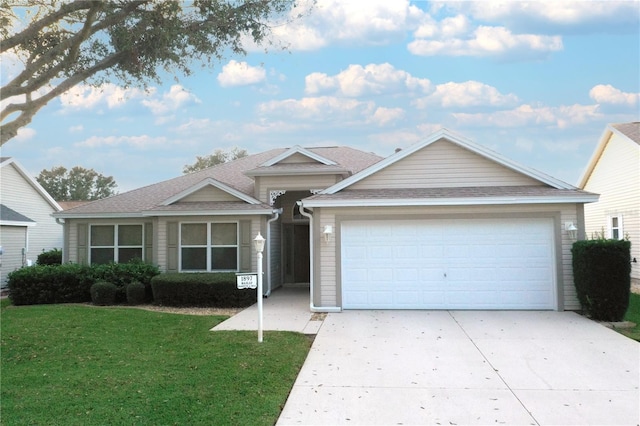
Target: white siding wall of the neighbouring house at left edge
point(18, 194)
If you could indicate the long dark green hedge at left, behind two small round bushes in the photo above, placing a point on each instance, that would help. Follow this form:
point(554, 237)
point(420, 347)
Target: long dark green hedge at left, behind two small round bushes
point(71, 283)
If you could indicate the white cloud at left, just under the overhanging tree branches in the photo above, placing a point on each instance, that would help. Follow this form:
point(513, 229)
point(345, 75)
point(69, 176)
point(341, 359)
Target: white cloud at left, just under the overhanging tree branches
point(84, 96)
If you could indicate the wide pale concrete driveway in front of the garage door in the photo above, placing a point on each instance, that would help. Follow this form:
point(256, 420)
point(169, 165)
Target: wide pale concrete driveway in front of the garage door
point(466, 367)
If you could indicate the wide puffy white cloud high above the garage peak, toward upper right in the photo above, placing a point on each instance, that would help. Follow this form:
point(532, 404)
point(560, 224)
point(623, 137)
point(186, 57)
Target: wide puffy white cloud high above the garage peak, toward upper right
point(488, 41)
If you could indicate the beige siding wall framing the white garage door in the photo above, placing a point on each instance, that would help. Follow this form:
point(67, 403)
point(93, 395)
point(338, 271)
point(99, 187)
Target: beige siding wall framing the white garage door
point(327, 255)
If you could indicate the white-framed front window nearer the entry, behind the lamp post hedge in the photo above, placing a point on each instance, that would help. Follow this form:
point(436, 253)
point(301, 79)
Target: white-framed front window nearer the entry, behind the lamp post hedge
point(209, 247)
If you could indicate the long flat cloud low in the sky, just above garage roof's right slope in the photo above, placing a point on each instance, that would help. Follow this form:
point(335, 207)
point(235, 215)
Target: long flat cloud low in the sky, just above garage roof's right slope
point(527, 115)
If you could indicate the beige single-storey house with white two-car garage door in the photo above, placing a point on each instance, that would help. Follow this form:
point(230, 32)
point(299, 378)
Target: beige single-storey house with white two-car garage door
point(444, 224)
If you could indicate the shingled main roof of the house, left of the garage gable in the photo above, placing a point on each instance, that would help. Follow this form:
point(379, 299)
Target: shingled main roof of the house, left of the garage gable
point(233, 174)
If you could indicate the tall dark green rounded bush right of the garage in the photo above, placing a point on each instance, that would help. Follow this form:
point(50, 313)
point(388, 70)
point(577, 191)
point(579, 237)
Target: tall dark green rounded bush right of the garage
point(602, 276)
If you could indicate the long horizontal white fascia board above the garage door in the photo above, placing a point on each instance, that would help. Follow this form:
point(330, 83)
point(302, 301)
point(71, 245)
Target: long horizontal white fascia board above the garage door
point(462, 201)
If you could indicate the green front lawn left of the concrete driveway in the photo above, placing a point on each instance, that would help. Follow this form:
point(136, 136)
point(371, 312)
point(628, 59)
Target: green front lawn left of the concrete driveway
point(64, 364)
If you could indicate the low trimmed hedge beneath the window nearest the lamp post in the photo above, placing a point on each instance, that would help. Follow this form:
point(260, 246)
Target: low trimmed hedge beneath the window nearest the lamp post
point(214, 290)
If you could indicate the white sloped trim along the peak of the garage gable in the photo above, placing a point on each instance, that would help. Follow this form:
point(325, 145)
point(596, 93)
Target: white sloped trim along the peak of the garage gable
point(460, 141)
